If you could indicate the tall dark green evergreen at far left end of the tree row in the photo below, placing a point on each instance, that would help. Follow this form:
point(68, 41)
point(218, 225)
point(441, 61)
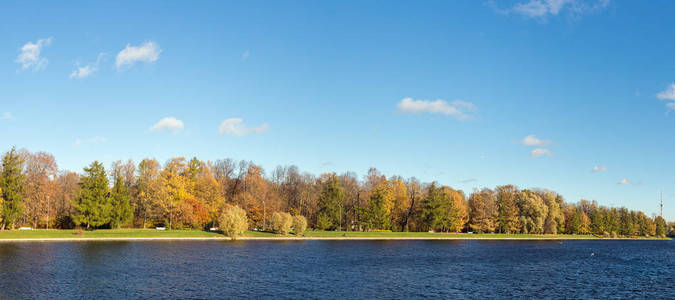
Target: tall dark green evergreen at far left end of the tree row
point(12, 187)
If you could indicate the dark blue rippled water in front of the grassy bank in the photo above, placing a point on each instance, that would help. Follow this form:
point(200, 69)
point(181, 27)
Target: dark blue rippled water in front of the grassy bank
point(338, 269)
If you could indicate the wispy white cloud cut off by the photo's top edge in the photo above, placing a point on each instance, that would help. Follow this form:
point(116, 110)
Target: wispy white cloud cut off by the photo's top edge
point(541, 9)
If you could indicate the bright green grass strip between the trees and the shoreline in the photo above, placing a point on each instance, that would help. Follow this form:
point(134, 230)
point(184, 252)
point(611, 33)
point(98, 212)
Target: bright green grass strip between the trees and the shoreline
point(152, 233)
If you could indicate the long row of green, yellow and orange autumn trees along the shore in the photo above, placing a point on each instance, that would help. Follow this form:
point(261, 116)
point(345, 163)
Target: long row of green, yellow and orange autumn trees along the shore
point(196, 194)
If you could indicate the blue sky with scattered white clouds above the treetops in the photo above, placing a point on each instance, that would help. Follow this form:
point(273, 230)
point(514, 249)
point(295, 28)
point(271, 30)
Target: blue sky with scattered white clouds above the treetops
point(533, 93)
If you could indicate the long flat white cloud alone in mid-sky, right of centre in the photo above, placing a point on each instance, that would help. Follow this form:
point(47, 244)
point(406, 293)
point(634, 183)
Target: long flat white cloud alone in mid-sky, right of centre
point(458, 109)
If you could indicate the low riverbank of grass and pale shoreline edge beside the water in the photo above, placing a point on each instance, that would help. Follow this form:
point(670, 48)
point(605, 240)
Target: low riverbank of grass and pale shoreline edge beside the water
point(160, 235)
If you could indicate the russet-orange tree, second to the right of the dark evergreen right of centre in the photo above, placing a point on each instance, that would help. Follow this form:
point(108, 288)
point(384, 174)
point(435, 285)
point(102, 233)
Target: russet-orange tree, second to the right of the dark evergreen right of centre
point(484, 211)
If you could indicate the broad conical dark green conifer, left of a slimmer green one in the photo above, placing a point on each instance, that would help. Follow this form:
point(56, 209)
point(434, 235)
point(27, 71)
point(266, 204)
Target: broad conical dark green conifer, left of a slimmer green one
point(93, 203)
